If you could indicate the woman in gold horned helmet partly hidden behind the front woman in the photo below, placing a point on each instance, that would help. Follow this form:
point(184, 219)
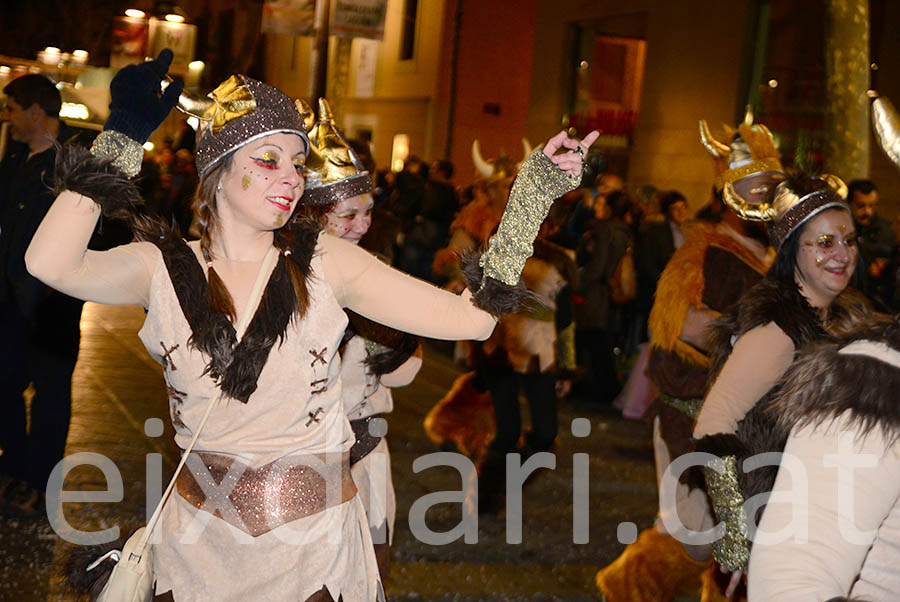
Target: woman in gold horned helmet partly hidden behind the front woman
point(374, 357)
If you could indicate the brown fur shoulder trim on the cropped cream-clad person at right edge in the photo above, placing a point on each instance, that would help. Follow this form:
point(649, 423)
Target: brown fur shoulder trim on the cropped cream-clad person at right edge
point(823, 384)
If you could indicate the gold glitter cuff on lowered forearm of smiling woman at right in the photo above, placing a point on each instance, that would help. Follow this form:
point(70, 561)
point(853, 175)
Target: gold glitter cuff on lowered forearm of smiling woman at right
point(732, 550)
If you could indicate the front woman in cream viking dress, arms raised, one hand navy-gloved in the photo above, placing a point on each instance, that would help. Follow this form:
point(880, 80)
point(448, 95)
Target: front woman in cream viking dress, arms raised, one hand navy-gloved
point(268, 509)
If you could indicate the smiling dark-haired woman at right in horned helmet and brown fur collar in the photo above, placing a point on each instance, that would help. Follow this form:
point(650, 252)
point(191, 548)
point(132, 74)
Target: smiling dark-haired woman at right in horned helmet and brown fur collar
point(802, 300)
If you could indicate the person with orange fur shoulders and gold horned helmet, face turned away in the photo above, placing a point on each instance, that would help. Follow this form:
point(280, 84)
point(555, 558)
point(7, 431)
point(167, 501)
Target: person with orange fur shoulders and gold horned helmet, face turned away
point(657, 567)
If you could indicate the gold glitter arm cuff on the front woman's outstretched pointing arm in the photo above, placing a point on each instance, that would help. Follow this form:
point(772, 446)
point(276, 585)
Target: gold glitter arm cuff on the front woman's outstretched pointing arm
point(538, 184)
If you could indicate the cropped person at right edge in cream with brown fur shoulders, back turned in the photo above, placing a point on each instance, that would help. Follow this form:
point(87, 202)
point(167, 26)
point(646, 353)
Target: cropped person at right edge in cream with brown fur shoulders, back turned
point(836, 499)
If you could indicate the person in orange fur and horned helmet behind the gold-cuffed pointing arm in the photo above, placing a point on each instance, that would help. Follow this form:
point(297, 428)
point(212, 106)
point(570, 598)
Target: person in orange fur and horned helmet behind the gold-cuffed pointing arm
point(531, 350)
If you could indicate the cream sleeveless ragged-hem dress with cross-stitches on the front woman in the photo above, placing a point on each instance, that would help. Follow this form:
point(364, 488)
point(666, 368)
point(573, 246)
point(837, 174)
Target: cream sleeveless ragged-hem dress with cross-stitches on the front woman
point(295, 411)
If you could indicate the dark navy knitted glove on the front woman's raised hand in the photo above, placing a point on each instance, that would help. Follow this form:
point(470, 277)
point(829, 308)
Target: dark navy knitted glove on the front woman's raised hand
point(137, 107)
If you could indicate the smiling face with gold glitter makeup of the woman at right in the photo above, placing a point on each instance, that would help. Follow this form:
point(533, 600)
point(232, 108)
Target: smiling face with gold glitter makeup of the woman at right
point(827, 256)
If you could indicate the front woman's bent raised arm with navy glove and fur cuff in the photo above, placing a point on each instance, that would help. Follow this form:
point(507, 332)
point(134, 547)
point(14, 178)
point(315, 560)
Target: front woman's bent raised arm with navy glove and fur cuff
point(92, 182)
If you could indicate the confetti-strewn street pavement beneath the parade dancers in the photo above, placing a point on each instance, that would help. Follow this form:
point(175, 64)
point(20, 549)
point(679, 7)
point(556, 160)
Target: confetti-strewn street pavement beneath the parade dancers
point(117, 388)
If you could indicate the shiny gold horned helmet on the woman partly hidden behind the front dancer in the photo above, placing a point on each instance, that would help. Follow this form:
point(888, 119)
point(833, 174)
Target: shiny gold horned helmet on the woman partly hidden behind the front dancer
point(334, 171)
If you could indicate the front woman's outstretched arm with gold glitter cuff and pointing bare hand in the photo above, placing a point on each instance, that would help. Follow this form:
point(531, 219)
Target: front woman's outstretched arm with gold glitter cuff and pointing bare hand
point(385, 295)
